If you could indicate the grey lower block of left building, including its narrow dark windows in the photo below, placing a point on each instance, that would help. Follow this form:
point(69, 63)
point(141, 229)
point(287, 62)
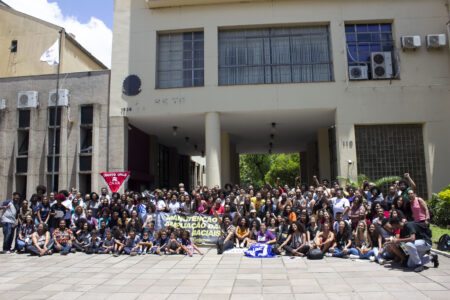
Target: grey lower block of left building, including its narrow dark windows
point(27, 132)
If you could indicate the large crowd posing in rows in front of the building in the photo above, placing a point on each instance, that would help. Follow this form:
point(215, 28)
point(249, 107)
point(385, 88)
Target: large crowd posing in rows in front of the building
point(326, 219)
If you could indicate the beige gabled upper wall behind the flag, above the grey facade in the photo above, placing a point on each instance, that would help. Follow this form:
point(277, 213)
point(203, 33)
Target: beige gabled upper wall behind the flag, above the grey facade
point(34, 37)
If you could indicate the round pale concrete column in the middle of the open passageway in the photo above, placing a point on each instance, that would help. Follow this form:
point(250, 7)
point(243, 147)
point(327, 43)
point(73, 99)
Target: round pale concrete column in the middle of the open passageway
point(213, 149)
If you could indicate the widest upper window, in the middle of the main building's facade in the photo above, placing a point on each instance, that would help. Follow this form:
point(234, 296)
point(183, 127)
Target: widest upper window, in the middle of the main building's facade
point(274, 55)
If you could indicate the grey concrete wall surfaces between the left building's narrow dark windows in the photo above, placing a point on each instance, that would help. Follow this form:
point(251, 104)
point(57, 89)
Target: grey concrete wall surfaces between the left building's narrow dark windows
point(84, 89)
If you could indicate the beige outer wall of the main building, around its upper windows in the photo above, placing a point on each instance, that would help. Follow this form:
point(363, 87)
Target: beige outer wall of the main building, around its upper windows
point(420, 96)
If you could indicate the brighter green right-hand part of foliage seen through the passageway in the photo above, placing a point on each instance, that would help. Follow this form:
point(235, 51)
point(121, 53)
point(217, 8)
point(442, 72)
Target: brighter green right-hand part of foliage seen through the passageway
point(283, 166)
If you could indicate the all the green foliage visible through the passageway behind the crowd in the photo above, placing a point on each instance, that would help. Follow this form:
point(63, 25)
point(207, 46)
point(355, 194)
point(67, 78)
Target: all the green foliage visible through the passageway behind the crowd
point(257, 169)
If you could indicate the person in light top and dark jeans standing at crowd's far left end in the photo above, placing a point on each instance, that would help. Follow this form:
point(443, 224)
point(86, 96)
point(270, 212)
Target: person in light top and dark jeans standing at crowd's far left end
point(9, 220)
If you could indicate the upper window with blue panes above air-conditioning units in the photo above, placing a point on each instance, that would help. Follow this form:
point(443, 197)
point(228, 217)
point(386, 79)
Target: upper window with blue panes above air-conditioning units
point(364, 39)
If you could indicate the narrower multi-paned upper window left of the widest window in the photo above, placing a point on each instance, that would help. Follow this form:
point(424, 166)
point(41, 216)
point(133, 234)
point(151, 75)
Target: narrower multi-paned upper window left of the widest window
point(180, 60)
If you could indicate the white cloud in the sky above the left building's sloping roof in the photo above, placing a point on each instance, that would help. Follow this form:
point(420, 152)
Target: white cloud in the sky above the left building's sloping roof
point(94, 35)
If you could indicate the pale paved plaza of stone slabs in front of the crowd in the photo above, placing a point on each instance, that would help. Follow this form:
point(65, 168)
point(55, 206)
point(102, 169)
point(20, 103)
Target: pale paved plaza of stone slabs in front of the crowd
point(212, 276)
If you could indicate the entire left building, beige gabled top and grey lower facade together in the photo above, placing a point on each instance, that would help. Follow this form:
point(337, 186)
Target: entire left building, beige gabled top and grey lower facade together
point(27, 108)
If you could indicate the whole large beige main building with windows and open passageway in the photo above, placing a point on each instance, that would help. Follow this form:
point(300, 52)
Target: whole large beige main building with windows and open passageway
point(330, 79)
